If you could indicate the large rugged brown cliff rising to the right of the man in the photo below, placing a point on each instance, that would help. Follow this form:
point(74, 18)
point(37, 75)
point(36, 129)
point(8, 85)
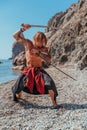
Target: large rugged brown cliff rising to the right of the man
point(67, 35)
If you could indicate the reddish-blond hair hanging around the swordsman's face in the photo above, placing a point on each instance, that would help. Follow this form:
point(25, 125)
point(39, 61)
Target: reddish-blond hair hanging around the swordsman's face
point(40, 36)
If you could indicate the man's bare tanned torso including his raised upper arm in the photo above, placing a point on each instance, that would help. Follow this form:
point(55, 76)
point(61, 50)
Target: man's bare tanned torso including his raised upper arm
point(31, 53)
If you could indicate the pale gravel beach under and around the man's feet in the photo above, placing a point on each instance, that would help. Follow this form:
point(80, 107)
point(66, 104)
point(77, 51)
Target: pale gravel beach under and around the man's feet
point(35, 112)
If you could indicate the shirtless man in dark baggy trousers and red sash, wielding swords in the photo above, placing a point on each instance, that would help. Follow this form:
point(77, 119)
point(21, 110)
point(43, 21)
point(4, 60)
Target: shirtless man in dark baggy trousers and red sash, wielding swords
point(34, 79)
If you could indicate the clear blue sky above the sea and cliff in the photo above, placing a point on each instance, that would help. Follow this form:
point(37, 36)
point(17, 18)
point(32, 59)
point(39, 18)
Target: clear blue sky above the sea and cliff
point(34, 12)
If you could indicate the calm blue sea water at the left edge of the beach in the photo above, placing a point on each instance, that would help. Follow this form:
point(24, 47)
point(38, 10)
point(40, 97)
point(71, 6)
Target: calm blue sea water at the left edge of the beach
point(6, 72)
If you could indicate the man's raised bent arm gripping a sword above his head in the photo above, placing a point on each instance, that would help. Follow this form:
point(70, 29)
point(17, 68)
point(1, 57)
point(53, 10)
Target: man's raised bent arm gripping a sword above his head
point(19, 34)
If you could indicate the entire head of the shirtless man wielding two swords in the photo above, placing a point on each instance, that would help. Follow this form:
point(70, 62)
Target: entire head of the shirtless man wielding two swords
point(40, 39)
